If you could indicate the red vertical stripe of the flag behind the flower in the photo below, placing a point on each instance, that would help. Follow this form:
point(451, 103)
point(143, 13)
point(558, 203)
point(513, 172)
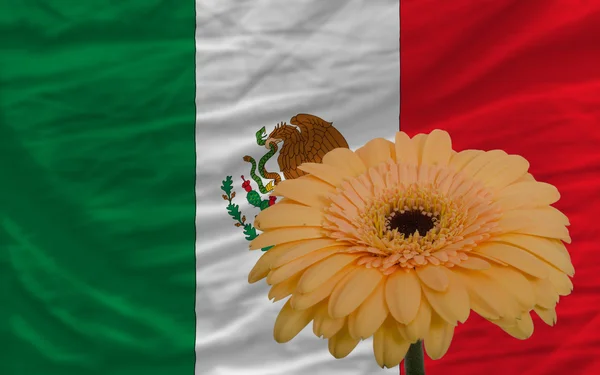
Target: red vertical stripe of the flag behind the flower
point(521, 76)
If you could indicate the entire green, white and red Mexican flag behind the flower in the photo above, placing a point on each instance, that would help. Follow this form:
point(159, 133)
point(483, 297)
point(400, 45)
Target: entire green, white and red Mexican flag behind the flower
point(138, 140)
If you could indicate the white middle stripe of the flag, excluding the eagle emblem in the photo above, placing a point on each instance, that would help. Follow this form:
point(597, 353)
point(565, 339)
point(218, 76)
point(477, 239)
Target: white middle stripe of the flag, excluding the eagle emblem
point(260, 63)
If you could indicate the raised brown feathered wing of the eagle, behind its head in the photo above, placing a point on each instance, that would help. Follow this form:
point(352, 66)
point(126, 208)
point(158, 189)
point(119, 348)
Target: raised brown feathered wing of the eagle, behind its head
point(319, 137)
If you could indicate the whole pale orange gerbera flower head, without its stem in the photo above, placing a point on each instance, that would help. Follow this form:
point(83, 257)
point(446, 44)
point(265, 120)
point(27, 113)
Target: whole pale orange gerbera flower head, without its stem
point(400, 241)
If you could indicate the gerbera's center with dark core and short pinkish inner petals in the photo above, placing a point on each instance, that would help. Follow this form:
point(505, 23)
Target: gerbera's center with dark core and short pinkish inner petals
point(398, 216)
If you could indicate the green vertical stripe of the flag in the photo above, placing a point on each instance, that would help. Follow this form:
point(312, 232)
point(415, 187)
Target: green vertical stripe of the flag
point(97, 170)
